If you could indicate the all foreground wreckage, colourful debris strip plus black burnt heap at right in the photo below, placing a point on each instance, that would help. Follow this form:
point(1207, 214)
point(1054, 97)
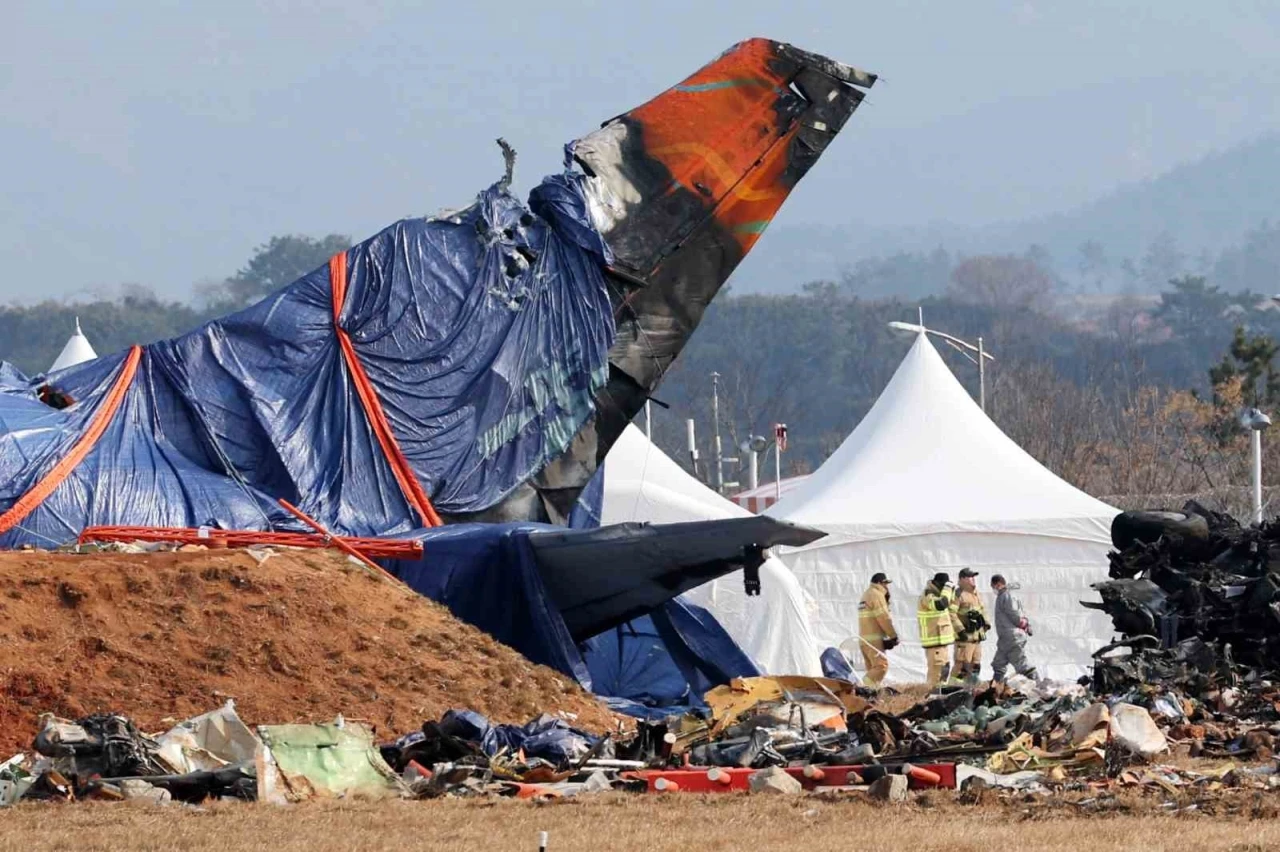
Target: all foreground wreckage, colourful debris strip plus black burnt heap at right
point(1195, 597)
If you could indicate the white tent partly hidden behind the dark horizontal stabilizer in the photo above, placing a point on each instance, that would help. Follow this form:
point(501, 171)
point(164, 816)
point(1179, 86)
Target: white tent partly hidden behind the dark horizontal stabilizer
point(643, 484)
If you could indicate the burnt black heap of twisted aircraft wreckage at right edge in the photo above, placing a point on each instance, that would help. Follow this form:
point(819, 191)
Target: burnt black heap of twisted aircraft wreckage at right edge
point(1195, 597)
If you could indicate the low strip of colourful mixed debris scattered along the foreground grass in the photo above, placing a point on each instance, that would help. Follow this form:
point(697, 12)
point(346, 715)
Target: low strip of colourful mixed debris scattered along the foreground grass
point(769, 735)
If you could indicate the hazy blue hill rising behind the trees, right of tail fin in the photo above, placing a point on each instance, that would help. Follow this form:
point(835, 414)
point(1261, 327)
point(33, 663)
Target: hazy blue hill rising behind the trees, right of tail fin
point(1194, 214)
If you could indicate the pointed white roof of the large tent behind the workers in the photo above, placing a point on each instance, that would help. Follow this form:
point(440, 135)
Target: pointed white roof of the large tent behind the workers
point(927, 460)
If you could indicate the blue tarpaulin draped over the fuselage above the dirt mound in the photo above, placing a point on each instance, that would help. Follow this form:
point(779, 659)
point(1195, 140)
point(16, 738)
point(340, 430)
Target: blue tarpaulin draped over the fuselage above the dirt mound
point(484, 336)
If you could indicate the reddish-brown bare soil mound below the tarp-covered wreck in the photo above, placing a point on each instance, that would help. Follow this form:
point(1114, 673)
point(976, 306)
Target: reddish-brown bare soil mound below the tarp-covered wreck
point(303, 636)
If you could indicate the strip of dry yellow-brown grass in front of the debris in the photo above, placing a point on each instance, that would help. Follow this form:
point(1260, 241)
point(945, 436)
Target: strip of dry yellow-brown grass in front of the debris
point(620, 823)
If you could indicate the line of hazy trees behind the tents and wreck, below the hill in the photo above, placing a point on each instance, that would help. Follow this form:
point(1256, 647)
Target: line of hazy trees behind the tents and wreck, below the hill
point(1122, 396)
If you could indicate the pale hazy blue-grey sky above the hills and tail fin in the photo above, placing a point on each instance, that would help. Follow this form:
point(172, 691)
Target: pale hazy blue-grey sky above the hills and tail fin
point(158, 144)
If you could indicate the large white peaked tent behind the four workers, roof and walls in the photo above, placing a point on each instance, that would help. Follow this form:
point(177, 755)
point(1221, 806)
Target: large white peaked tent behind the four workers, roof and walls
point(927, 483)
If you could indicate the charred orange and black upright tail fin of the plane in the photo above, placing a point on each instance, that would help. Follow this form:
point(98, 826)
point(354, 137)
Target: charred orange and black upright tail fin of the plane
point(687, 185)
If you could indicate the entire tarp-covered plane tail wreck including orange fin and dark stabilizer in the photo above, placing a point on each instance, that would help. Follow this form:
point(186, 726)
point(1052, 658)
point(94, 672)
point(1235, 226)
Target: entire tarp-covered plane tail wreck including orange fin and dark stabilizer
point(470, 368)
